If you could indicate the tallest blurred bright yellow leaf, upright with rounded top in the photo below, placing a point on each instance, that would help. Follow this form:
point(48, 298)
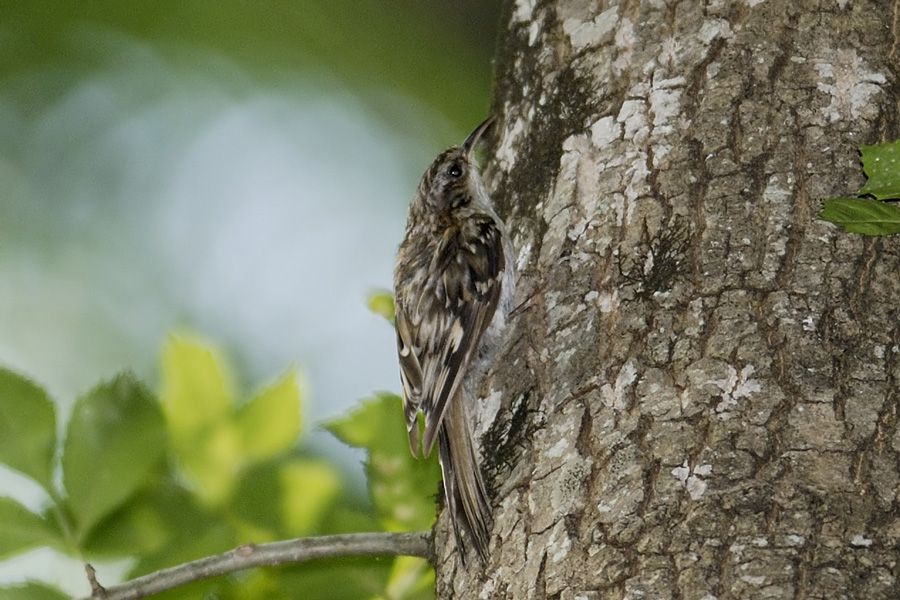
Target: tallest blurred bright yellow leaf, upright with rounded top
point(196, 388)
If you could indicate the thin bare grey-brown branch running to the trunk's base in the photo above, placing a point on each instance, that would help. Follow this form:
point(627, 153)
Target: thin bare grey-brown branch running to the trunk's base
point(276, 553)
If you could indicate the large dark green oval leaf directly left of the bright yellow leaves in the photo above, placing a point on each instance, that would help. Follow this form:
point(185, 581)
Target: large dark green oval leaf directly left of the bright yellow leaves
point(115, 437)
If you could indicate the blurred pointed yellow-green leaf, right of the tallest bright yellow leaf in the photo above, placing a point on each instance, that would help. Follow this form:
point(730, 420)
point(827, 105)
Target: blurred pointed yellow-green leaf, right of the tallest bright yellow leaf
point(270, 423)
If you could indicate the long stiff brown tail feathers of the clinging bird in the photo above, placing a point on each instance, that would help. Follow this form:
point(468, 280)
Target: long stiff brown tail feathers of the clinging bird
point(466, 496)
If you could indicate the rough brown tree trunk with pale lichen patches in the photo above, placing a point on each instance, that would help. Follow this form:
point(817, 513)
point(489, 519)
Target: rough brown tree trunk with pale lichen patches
point(700, 397)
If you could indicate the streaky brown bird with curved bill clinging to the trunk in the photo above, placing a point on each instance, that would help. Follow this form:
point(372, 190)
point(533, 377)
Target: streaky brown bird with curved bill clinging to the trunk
point(454, 282)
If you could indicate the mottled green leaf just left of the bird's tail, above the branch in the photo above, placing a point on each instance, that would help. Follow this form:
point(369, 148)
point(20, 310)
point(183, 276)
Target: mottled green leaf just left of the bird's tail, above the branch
point(401, 486)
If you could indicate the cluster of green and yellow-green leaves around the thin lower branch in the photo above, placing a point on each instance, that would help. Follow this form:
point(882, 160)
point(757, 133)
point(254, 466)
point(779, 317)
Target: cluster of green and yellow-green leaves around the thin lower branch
point(195, 471)
